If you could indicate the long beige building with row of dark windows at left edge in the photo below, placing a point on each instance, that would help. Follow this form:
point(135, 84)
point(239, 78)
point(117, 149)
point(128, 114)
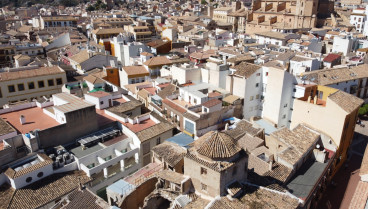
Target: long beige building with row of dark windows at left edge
point(30, 84)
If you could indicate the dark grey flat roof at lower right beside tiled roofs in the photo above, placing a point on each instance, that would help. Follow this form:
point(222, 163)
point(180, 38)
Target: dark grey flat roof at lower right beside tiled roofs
point(305, 178)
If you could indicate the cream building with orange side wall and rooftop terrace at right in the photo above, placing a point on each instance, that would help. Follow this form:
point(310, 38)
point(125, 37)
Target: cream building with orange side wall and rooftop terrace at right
point(328, 110)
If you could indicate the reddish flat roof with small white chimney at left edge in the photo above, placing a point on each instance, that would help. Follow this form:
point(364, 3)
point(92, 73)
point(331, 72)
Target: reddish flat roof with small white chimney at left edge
point(35, 119)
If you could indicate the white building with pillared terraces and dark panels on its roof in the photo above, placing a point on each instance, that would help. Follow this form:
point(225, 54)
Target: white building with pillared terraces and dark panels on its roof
point(106, 156)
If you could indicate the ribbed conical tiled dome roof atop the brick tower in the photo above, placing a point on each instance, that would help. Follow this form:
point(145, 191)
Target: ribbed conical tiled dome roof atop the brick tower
point(217, 145)
